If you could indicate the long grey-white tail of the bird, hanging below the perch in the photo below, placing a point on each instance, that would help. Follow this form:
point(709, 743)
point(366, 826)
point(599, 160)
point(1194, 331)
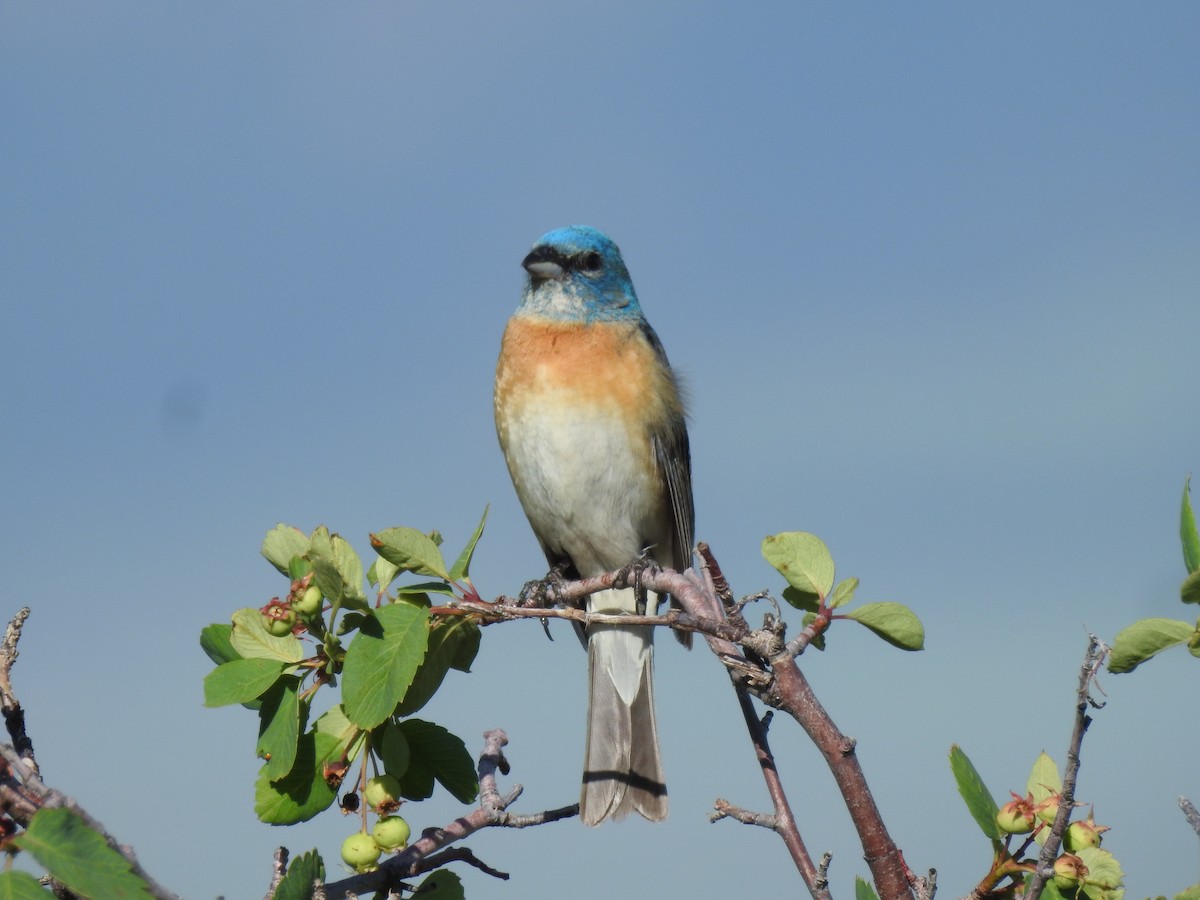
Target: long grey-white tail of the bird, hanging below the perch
point(623, 769)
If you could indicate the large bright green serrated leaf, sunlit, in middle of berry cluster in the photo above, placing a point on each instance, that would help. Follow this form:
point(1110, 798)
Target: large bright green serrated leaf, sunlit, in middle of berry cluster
point(382, 662)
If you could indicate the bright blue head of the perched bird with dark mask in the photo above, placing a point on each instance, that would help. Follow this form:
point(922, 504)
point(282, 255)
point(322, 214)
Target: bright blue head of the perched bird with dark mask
point(578, 274)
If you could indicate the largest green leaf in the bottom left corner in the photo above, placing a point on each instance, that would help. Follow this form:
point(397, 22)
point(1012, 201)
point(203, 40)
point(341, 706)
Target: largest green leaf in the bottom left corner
point(80, 857)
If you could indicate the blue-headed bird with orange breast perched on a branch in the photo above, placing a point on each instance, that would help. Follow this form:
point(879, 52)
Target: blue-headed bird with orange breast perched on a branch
point(592, 424)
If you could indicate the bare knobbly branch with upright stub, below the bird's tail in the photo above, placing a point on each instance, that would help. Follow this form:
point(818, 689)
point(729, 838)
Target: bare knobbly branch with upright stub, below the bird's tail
point(428, 853)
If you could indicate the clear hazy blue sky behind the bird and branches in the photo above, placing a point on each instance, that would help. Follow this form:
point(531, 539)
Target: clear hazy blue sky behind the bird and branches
point(931, 273)
